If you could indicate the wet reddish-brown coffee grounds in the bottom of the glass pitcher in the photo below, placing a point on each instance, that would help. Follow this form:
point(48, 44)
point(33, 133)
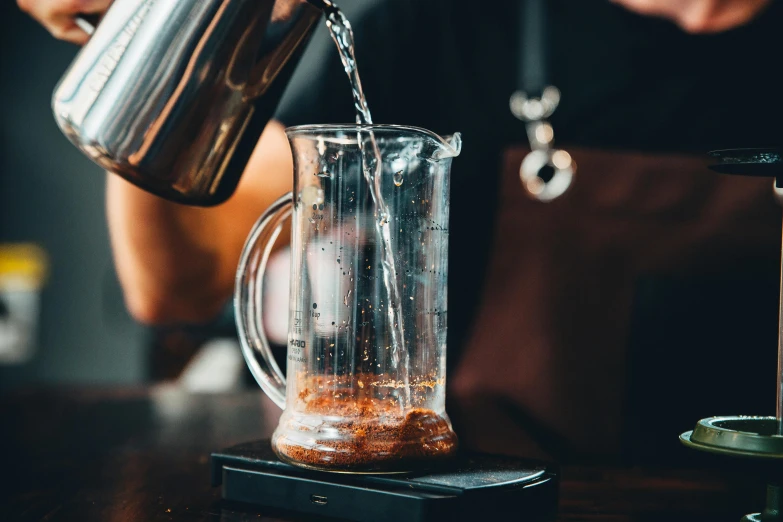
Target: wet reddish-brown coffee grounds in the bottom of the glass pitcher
point(375, 436)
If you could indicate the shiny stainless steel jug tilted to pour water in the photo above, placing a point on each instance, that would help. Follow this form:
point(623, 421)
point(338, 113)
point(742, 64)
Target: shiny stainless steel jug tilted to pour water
point(172, 95)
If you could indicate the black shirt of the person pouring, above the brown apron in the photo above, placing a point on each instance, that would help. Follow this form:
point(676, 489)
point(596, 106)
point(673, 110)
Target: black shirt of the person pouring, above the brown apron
point(627, 81)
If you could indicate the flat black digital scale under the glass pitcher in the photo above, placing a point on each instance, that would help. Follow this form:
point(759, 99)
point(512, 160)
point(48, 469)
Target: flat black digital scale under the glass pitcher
point(469, 487)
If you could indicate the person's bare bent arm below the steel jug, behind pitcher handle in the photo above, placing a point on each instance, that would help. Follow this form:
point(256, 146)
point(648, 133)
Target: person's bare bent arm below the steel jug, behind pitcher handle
point(176, 264)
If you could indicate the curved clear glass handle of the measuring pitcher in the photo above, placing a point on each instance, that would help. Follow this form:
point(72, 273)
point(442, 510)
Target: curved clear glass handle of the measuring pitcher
point(248, 299)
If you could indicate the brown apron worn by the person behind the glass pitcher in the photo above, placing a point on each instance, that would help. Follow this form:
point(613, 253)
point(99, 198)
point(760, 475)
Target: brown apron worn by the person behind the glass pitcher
point(550, 341)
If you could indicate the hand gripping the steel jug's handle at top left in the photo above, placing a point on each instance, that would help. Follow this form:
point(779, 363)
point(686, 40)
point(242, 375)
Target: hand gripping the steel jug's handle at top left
point(57, 16)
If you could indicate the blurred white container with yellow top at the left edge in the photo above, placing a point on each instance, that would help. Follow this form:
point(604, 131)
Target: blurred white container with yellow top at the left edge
point(23, 269)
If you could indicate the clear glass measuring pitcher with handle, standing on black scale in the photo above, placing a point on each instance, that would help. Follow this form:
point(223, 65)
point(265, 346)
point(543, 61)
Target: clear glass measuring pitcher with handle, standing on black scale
point(365, 387)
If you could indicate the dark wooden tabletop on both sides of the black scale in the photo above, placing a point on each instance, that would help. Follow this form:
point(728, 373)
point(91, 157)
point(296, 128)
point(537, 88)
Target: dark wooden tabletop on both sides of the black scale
point(128, 455)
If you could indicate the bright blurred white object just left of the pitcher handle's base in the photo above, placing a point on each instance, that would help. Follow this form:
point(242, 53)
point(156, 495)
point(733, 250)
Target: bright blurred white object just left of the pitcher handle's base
point(217, 367)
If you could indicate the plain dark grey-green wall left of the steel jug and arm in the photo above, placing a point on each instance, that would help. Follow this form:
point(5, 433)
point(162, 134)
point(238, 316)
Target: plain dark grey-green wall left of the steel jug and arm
point(52, 196)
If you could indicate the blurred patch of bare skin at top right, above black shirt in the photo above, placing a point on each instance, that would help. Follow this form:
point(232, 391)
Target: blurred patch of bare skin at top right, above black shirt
point(700, 16)
